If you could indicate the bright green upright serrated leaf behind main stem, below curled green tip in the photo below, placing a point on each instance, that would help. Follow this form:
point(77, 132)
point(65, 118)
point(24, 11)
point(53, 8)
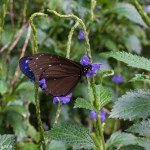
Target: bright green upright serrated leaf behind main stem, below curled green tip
point(103, 95)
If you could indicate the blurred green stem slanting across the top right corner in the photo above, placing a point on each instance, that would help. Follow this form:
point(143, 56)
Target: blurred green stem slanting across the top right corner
point(141, 12)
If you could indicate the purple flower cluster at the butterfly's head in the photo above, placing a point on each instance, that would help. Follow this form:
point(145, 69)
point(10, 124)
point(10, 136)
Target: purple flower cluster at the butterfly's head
point(95, 66)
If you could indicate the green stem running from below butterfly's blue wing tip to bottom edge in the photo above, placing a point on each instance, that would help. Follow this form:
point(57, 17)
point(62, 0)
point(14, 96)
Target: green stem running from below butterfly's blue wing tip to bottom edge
point(38, 115)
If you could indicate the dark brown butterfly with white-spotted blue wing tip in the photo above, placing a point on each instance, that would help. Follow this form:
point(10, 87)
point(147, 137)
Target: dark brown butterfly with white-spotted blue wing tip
point(61, 74)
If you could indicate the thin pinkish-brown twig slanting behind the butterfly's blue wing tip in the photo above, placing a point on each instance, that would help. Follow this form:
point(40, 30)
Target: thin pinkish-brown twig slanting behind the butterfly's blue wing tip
point(22, 54)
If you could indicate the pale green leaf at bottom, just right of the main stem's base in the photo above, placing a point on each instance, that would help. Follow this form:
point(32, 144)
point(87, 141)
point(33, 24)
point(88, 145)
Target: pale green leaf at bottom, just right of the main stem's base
point(118, 138)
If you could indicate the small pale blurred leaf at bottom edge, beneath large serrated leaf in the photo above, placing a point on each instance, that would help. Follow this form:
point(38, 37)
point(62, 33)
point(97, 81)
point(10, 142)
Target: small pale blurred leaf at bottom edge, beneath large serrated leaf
point(56, 145)
